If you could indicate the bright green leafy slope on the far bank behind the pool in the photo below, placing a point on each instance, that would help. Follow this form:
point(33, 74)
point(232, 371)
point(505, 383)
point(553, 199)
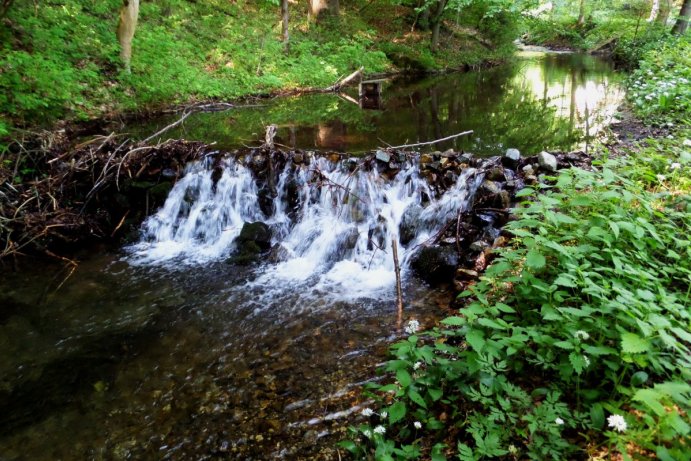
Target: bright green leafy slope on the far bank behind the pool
point(62, 60)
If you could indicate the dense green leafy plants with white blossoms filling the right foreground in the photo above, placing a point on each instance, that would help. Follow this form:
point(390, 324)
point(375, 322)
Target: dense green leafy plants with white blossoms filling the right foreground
point(576, 339)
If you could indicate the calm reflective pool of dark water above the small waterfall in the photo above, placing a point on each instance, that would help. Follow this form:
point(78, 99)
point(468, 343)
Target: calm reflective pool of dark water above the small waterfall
point(540, 101)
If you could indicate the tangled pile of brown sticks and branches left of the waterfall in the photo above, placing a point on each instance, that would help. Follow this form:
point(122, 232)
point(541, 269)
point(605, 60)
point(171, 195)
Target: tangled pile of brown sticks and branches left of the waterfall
point(53, 193)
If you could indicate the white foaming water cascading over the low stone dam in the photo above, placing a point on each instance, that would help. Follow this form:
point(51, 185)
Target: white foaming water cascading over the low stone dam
point(333, 222)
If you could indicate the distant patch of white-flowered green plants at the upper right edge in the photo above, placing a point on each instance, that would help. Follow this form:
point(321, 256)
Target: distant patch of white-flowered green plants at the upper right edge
point(661, 87)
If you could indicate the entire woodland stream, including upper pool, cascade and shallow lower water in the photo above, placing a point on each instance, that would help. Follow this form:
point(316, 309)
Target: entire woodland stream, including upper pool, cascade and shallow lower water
point(169, 348)
